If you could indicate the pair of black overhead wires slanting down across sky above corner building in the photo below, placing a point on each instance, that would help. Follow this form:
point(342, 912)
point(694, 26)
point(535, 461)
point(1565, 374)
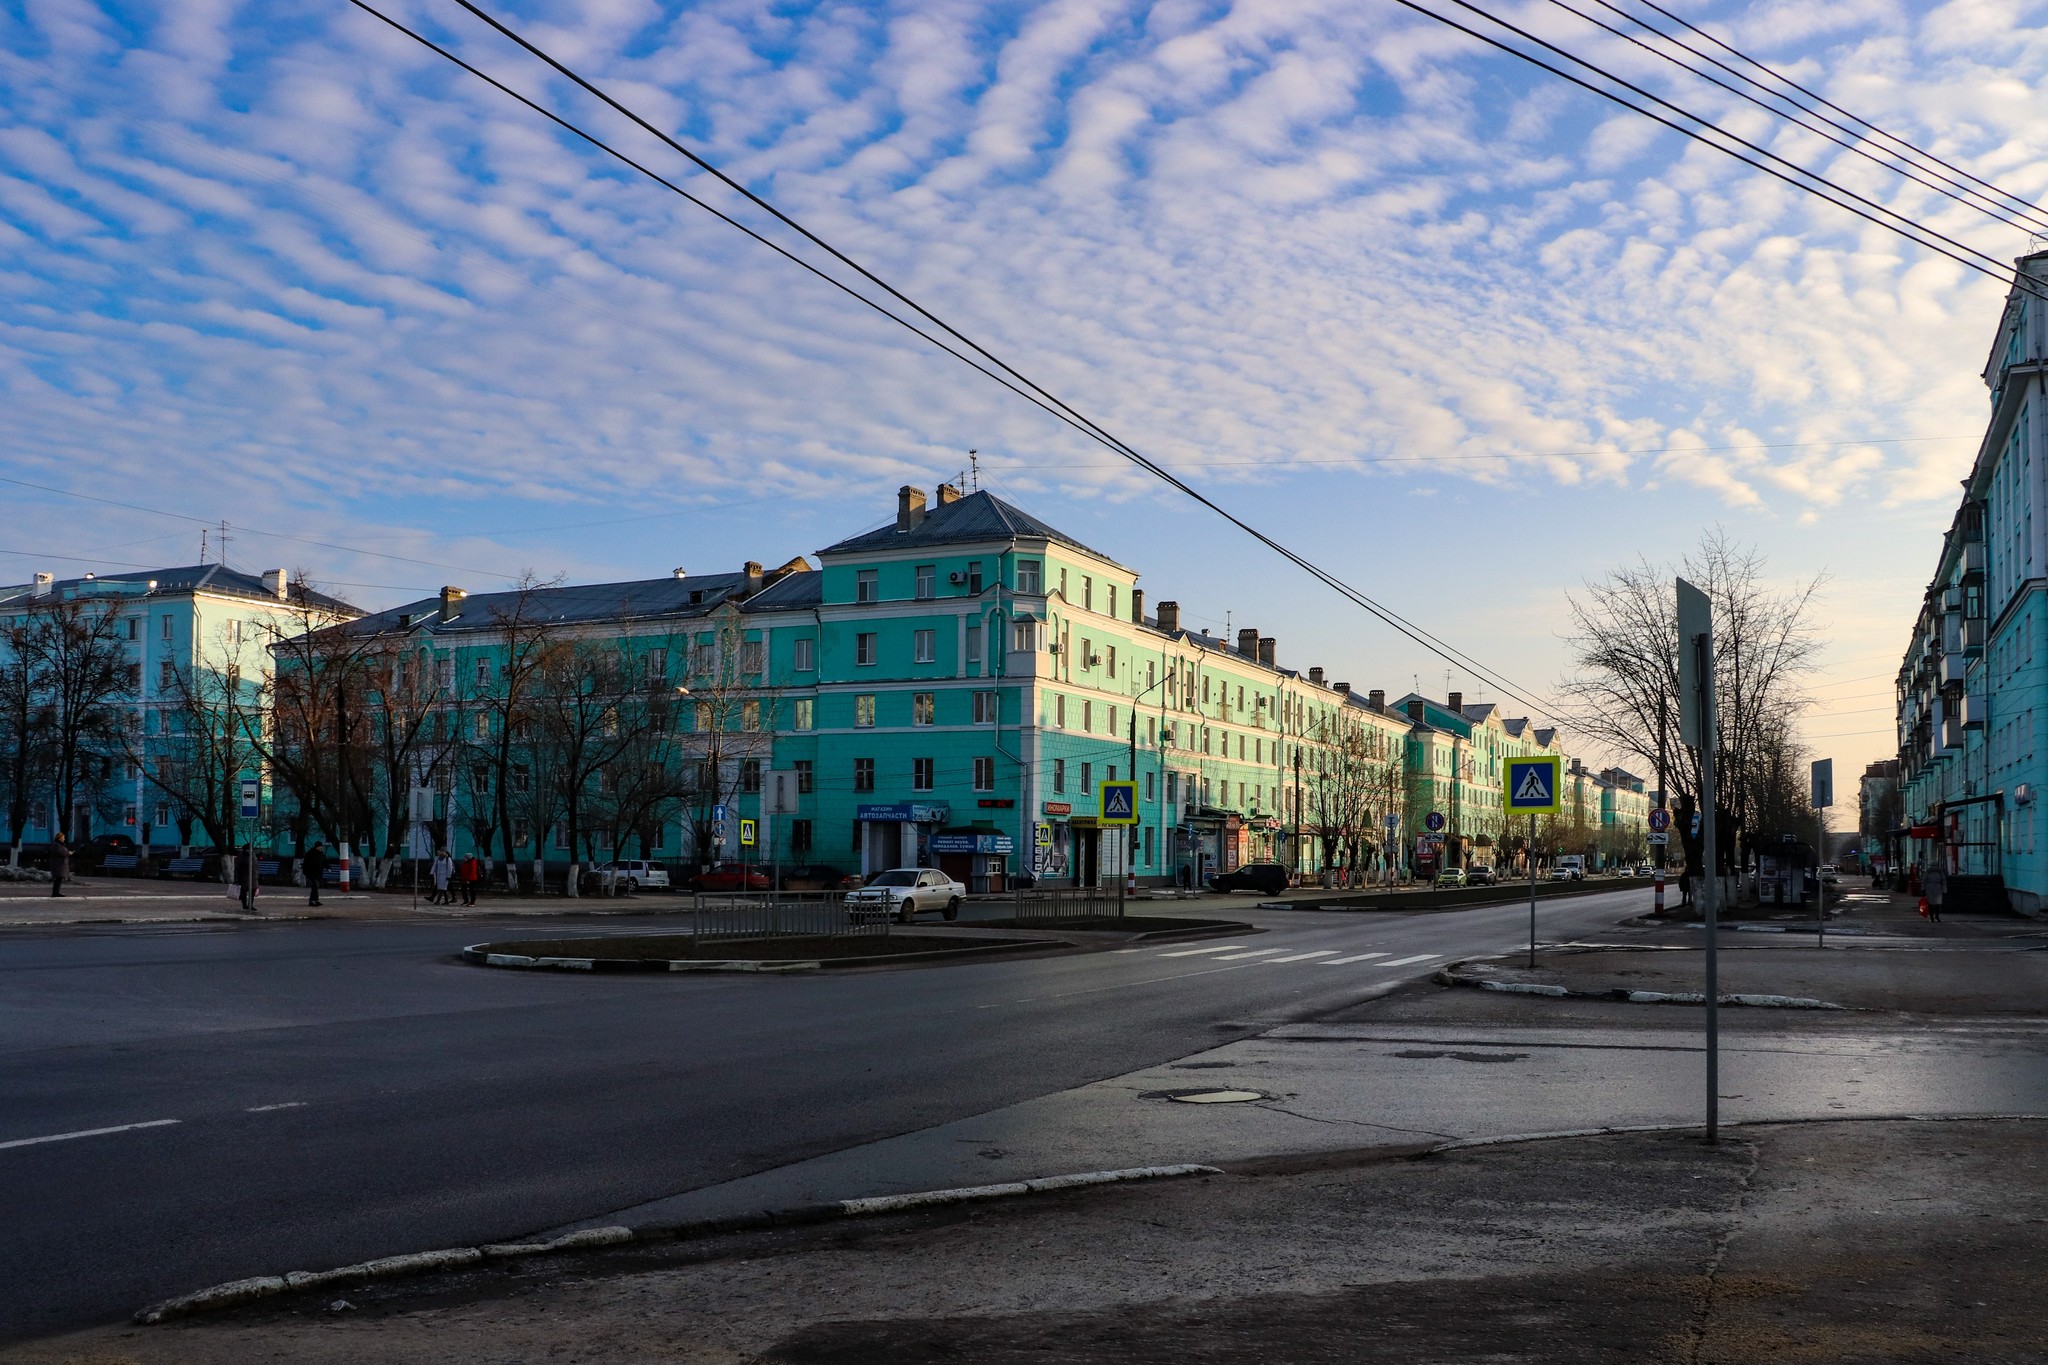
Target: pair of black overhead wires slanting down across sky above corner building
point(994, 369)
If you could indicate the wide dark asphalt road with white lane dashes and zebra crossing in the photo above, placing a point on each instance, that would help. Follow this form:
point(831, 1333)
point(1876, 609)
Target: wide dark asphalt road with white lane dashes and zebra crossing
point(183, 1106)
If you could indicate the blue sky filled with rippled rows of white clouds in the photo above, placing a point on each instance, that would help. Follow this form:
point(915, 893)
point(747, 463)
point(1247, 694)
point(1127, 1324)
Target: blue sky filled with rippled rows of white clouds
point(1459, 333)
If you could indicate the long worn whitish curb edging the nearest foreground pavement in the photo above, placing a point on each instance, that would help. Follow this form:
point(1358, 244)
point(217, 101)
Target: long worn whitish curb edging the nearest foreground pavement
point(595, 1239)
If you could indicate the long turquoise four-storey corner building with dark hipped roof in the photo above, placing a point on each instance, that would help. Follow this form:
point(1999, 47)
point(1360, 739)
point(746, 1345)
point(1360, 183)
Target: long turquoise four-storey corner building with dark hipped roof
point(949, 689)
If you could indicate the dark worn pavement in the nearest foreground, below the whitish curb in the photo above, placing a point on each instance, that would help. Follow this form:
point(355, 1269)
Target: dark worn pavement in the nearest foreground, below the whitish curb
point(1801, 1243)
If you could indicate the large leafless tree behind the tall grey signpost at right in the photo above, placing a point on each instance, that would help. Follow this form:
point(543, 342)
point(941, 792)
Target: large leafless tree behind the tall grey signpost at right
point(1625, 666)
